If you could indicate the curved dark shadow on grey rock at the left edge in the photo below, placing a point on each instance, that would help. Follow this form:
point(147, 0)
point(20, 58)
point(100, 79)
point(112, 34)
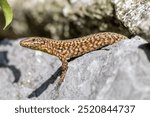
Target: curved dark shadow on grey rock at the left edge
point(4, 64)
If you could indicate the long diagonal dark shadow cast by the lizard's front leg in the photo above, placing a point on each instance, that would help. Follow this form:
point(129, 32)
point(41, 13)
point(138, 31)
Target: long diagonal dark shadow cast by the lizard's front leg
point(45, 85)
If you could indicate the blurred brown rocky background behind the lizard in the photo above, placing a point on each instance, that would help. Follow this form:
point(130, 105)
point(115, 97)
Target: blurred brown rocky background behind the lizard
point(62, 18)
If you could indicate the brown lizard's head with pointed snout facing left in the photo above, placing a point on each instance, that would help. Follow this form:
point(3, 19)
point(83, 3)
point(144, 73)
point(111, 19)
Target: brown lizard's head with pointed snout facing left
point(35, 43)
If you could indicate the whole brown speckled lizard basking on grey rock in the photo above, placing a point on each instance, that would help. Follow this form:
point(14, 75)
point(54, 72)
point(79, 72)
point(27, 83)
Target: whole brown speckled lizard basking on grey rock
point(67, 49)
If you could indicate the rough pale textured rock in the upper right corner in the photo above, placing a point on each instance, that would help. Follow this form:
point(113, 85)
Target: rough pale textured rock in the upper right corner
point(135, 14)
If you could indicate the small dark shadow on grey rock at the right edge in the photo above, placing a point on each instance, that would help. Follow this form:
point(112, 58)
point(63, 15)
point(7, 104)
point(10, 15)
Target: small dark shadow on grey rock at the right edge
point(146, 48)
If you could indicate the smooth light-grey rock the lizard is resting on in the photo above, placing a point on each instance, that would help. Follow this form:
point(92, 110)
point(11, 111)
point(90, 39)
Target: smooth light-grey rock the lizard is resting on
point(119, 71)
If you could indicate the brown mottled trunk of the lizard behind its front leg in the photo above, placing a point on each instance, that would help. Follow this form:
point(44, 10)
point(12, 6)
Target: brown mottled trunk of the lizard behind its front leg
point(79, 46)
